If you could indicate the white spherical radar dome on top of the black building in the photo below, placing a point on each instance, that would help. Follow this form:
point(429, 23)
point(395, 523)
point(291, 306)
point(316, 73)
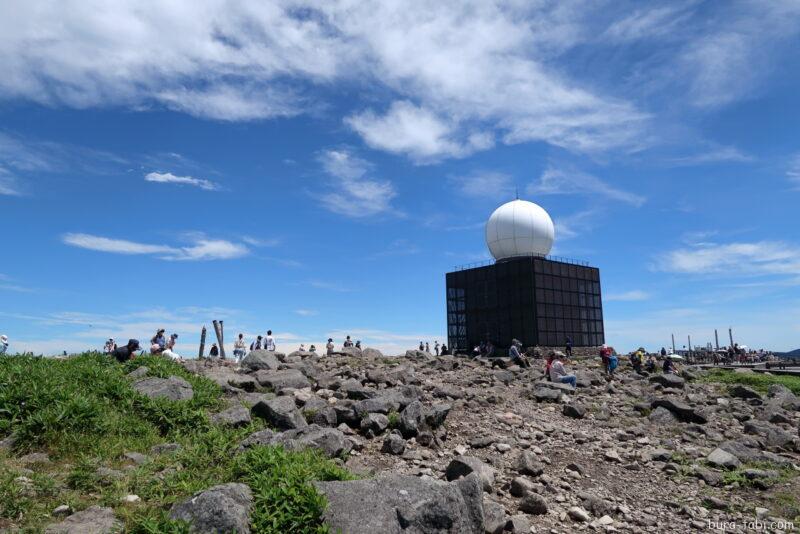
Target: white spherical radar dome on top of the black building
point(519, 228)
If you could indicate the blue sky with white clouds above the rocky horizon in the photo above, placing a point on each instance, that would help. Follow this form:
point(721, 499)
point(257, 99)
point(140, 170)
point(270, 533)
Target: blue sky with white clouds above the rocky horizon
point(317, 170)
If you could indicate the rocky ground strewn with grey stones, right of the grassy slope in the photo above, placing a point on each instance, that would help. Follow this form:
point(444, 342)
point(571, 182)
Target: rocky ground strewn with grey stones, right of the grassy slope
point(654, 454)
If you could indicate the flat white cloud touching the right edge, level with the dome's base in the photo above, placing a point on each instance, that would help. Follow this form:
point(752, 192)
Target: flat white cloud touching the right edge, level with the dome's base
point(759, 258)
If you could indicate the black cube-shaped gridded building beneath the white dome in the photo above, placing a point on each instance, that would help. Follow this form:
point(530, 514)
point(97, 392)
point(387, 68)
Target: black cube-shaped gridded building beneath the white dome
point(537, 300)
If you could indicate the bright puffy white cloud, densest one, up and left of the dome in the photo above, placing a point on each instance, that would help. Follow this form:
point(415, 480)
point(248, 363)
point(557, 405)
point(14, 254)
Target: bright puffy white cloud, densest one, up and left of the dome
point(417, 132)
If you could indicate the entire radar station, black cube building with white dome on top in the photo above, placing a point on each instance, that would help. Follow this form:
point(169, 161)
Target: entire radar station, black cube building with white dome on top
point(524, 293)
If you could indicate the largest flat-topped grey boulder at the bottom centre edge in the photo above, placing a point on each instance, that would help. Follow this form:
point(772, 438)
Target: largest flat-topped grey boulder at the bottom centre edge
point(402, 505)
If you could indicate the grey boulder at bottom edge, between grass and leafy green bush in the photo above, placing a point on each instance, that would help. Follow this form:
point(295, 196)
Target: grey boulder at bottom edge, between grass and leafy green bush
point(223, 508)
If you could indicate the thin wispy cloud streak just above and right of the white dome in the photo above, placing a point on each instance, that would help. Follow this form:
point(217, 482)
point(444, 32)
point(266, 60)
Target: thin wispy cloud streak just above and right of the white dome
point(573, 182)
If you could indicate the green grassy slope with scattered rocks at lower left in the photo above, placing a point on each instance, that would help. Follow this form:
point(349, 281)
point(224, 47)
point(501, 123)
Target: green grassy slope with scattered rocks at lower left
point(83, 412)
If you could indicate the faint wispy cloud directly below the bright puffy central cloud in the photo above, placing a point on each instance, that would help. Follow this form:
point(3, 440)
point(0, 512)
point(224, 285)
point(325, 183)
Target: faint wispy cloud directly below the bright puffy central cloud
point(351, 192)
